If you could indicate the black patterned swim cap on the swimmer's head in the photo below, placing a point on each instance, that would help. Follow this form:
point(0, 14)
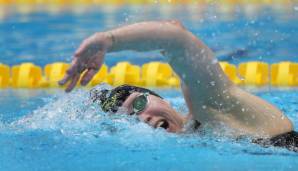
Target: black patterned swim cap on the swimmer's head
point(111, 100)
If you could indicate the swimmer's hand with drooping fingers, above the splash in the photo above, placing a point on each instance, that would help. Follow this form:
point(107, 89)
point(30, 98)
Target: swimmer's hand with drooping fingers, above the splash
point(87, 59)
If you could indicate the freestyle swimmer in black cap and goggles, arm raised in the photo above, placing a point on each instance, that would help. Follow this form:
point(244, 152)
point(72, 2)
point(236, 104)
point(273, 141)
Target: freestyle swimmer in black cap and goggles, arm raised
point(212, 99)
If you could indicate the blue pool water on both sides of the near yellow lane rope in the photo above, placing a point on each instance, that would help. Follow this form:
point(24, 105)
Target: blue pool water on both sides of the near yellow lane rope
point(50, 130)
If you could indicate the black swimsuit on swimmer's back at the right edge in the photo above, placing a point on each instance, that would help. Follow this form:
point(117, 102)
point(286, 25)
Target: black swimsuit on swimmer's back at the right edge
point(287, 140)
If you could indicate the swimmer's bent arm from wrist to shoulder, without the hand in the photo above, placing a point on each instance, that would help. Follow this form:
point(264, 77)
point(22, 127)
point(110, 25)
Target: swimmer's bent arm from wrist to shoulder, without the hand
point(191, 59)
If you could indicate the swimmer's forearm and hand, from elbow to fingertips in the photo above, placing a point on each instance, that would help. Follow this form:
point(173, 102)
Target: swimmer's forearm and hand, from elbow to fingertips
point(146, 36)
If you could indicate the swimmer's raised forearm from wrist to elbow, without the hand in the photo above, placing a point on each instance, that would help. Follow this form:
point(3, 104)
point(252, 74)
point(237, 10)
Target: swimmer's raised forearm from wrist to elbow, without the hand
point(147, 36)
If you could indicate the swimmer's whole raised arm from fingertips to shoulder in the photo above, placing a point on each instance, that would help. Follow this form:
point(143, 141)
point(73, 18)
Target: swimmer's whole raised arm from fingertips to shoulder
point(189, 57)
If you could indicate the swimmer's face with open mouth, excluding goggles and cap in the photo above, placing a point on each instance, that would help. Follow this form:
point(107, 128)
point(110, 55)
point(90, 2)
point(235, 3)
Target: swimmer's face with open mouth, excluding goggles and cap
point(158, 113)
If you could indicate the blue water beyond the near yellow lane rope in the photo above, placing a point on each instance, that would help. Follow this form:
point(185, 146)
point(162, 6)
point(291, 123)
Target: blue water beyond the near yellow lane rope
point(52, 34)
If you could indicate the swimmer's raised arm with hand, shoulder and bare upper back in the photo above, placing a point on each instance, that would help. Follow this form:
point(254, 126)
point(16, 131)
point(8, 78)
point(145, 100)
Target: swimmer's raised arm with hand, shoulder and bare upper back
point(191, 59)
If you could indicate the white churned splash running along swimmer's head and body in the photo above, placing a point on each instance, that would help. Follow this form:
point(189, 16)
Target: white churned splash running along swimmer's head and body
point(73, 116)
